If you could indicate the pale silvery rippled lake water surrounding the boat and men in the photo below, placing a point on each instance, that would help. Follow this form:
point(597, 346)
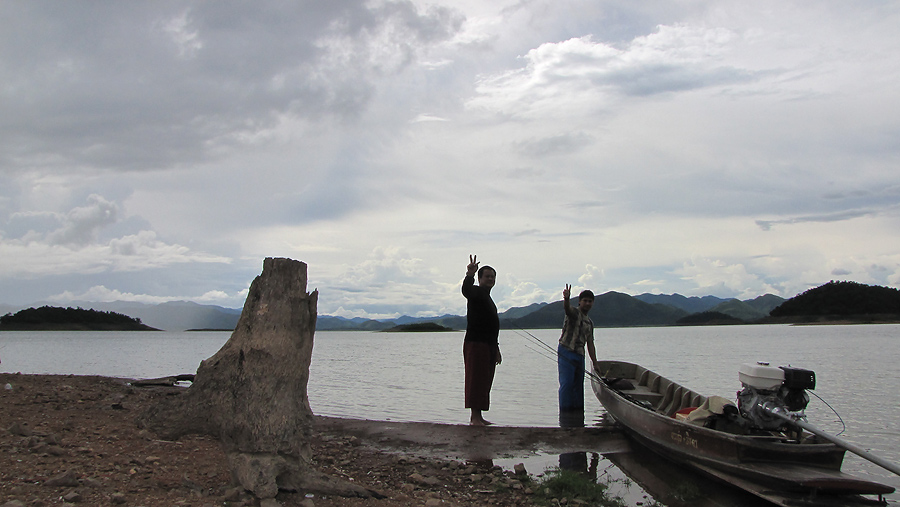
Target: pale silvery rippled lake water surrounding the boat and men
point(419, 376)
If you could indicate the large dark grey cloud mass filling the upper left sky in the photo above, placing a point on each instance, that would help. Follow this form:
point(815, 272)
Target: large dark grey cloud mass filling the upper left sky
point(164, 86)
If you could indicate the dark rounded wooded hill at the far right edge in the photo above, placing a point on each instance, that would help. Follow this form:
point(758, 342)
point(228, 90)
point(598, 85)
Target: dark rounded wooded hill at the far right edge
point(842, 300)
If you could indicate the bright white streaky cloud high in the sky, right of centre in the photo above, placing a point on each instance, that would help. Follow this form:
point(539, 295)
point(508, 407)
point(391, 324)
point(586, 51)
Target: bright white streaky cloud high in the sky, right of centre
point(583, 74)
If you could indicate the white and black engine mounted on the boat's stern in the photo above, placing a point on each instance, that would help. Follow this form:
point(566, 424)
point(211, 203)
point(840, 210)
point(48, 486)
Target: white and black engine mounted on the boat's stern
point(782, 389)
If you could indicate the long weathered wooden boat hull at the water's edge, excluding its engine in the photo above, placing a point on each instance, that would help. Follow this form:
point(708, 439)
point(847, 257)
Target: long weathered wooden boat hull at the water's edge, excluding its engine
point(648, 407)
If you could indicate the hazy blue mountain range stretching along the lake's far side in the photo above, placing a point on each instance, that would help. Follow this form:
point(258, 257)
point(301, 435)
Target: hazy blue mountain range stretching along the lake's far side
point(612, 309)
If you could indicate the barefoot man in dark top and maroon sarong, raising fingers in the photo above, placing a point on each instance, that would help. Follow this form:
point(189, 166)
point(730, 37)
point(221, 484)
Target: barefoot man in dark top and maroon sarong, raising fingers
point(481, 349)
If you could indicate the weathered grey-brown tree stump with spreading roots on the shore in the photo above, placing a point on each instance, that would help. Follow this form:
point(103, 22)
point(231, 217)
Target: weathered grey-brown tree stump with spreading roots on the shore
point(251, 394)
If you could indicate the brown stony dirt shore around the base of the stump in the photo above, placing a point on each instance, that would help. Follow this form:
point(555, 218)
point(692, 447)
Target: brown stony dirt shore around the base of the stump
point(73, 440)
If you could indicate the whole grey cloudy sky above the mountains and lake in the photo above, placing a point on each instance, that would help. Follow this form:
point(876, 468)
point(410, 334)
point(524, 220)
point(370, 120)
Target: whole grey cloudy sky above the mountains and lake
point(158, 151)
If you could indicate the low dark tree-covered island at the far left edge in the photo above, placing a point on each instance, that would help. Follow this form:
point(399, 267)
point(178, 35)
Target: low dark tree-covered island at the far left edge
point(51, 318)
